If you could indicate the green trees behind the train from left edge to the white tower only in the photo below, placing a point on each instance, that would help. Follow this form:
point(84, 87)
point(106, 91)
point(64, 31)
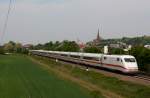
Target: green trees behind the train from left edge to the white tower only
point(69, 46)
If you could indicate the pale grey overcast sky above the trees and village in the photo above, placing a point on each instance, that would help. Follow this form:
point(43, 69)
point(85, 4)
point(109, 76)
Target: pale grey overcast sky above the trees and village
point(40, 21)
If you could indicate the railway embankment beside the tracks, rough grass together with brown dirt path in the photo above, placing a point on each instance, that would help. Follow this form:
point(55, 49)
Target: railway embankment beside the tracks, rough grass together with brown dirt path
point(110, 87)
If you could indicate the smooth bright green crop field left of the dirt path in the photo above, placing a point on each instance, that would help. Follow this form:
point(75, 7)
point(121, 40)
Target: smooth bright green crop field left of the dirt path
point(21, 78)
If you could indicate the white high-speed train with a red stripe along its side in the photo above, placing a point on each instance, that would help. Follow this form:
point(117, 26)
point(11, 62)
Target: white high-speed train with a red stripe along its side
point(123, 63)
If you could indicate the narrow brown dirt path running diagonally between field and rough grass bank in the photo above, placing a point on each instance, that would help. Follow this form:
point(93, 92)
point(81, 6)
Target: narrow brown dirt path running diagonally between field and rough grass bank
point(87, 85)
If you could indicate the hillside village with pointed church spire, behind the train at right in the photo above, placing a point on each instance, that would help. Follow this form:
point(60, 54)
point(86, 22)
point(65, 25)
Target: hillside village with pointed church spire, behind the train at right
point(119, 43)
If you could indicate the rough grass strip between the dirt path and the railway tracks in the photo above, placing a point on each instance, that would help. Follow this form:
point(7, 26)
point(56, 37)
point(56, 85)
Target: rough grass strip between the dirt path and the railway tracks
point(122, 88)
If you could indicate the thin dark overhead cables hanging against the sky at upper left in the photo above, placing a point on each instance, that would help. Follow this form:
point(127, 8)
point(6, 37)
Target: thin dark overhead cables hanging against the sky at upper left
point(6, 22)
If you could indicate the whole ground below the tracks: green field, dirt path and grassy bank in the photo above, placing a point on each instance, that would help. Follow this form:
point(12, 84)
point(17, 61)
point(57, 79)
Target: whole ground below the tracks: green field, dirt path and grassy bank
point(39, 77)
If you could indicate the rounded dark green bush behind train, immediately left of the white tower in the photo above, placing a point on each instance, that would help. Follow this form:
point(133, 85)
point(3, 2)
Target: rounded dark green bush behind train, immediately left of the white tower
point(92, 49)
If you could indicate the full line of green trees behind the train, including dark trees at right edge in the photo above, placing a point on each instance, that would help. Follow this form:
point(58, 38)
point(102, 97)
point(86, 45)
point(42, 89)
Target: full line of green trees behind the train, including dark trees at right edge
point(141, 53)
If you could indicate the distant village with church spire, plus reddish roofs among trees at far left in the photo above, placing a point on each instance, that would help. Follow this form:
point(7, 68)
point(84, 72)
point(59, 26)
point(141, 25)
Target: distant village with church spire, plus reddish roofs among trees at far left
point(124, 43)
